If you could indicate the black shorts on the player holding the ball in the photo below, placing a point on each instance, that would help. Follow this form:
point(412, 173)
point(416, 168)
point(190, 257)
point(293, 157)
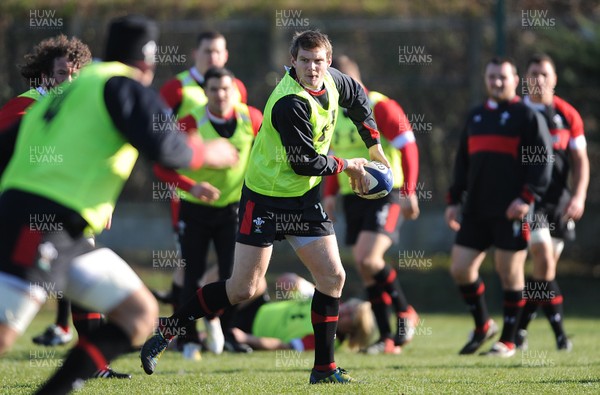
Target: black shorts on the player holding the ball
point(261, 225)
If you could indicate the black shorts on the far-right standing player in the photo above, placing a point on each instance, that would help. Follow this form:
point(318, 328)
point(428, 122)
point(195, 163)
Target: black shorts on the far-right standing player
point(550, 215)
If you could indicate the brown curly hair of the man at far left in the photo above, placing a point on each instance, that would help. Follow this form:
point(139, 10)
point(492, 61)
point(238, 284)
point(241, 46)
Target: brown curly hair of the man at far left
point(41, 60)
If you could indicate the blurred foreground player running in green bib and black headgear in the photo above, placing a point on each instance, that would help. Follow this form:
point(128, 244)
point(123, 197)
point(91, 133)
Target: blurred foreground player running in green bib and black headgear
point(98, 124)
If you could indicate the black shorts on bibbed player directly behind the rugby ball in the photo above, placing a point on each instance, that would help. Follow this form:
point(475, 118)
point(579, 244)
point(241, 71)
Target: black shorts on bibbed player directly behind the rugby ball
point(377, 215)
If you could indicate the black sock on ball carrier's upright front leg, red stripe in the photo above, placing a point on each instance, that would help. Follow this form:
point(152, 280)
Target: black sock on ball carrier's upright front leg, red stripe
point(324, 316)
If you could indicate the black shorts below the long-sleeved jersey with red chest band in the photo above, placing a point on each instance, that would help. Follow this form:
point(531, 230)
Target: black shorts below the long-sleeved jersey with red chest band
point(480, 234)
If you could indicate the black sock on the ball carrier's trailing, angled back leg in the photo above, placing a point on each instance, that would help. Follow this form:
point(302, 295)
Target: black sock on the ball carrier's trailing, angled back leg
point(210, 299)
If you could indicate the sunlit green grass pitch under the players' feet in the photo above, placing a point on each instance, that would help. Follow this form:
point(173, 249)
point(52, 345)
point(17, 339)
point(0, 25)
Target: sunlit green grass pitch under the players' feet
point(429, 365)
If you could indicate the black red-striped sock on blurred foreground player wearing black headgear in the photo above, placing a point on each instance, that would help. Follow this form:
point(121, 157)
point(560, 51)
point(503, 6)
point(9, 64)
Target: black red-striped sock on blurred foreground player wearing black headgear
point(91, 354)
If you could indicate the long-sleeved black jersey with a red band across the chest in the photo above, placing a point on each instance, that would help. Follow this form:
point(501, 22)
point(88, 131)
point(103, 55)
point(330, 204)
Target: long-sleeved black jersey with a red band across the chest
point(503, 154)
